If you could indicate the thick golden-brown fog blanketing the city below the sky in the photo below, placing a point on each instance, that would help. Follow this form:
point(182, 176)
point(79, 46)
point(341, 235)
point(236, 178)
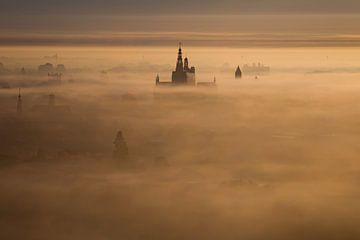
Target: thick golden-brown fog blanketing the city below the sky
point(268, 156)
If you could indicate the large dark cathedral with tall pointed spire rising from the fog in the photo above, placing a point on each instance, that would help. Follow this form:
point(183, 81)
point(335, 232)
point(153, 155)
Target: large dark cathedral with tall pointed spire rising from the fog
point(183, 74)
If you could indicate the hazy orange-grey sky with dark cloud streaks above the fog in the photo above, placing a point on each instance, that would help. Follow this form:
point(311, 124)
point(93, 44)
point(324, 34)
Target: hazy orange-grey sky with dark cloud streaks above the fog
point(282, 22)
